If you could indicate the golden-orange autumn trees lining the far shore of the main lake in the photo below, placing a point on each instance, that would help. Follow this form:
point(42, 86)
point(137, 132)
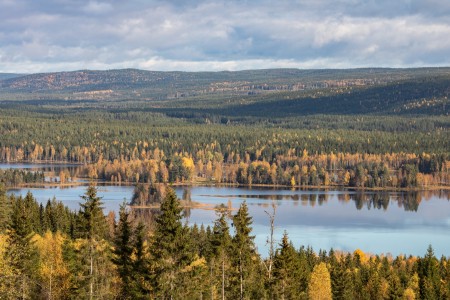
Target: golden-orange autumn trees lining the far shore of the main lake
point(296, 169)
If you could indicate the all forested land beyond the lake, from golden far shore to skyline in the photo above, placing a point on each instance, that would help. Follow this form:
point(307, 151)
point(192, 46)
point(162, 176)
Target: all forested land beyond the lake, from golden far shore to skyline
point(389, 128)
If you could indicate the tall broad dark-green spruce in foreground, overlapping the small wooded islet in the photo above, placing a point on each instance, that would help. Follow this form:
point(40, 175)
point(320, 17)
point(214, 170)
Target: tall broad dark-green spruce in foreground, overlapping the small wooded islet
point(169, 249)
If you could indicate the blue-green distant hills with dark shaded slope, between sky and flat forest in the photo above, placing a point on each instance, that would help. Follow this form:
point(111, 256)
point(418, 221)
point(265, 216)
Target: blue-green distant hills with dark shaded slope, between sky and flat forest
point(256, 93)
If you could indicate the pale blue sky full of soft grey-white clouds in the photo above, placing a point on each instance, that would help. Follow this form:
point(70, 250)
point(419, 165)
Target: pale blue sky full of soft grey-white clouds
point(208, 35)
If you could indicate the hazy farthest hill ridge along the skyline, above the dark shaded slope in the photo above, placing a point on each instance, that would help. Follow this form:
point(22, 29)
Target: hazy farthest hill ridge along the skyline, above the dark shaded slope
point(201, 82)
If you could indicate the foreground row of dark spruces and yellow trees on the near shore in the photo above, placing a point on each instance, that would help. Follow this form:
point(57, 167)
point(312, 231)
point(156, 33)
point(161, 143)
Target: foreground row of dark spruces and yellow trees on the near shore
point(87, 255)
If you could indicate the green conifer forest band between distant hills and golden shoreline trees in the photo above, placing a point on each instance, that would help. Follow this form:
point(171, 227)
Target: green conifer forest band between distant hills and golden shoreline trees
point(66, 135)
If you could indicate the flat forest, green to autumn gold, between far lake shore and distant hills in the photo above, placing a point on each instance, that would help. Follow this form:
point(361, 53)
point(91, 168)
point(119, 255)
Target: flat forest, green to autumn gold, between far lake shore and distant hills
point(123, 144)
